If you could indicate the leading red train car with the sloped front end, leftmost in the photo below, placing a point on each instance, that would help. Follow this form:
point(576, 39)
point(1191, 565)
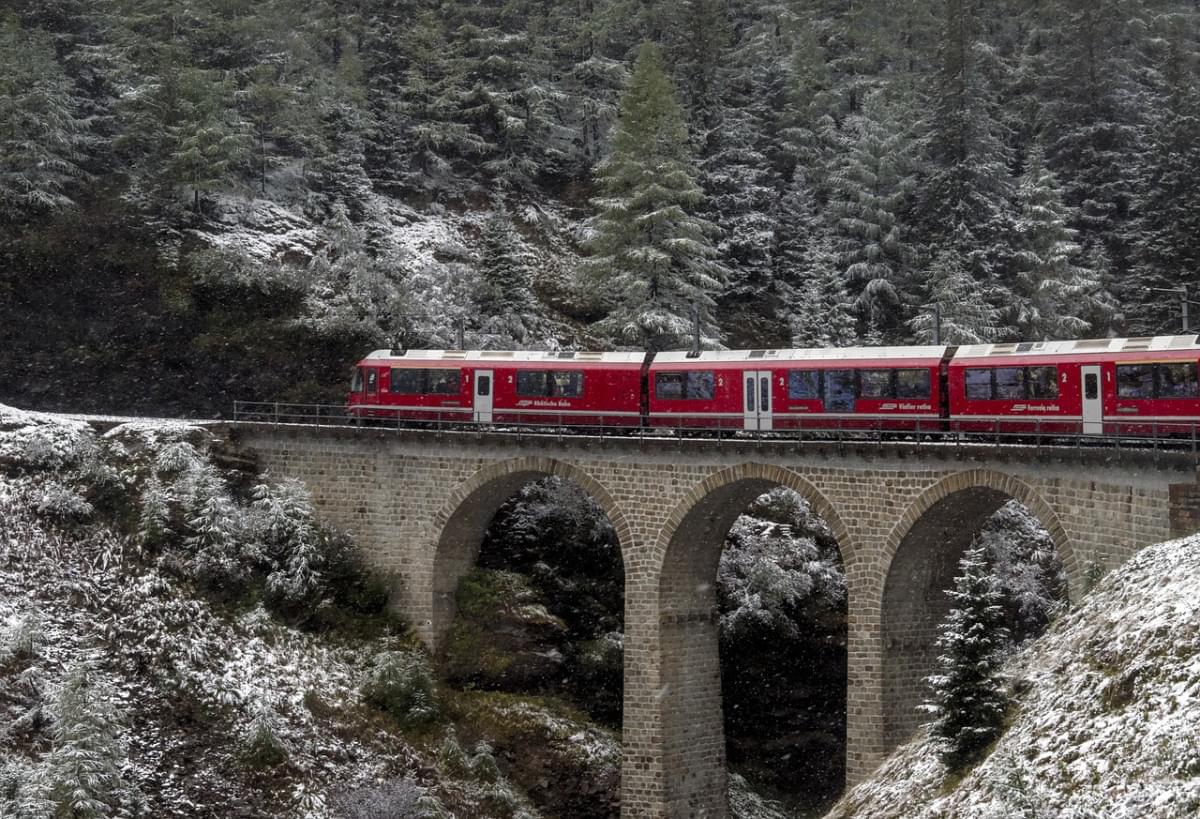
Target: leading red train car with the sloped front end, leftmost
point(500, 387)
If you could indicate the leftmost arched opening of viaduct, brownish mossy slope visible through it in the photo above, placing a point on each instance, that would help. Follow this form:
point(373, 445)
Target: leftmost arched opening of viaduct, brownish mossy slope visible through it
point(531, 644)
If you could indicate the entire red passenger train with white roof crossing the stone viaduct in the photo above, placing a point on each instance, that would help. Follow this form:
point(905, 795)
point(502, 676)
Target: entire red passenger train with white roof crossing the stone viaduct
point(1145, 386)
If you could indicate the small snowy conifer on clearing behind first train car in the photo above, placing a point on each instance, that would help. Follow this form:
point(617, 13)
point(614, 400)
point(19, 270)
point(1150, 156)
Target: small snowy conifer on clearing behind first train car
point(506, 285)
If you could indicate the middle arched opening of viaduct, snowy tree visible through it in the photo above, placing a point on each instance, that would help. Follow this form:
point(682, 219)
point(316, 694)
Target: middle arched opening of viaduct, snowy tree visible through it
point(776, 721)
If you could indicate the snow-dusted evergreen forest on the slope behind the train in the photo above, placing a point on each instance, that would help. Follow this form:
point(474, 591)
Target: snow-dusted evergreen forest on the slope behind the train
point(230, 200)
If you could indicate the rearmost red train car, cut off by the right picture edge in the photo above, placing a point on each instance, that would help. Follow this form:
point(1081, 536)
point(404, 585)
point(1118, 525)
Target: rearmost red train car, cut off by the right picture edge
point(1144, 386)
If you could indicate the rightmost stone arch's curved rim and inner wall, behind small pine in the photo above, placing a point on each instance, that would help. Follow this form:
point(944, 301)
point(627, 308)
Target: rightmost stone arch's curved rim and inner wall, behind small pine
point(919, 563)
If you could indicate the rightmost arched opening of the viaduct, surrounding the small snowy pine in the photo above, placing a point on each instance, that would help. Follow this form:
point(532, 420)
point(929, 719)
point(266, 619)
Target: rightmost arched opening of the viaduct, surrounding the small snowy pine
point(1017, 530)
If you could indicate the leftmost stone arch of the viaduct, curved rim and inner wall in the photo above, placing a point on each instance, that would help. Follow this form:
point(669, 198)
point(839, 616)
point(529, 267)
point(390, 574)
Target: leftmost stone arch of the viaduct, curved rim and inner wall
point(458, 529)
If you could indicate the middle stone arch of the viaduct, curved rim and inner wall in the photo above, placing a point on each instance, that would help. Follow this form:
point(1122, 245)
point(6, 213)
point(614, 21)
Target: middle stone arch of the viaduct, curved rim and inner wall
point(687, 554)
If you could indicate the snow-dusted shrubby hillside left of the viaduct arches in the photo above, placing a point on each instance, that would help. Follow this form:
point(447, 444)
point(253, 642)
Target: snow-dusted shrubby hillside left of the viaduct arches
point(129, 688)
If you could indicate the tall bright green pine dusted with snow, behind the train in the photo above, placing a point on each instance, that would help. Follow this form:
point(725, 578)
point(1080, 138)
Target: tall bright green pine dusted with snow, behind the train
point(653, 258)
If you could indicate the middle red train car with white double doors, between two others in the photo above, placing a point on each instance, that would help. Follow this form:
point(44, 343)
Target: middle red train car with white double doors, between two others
point(851, 388)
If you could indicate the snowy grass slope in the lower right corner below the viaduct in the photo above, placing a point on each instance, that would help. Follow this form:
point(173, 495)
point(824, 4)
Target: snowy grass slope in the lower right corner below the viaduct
point(1107, 724)
